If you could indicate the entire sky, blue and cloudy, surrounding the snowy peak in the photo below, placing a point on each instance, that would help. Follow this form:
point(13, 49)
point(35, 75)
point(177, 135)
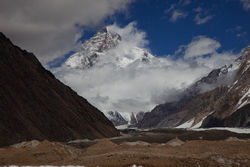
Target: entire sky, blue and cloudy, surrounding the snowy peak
point(188, 39)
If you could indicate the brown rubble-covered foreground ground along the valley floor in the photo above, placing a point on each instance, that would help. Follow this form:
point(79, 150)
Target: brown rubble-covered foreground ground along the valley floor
point(231, 151)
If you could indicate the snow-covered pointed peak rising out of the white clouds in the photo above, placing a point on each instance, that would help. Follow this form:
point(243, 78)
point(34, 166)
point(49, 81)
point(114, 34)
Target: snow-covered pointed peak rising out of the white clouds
point(101, 50)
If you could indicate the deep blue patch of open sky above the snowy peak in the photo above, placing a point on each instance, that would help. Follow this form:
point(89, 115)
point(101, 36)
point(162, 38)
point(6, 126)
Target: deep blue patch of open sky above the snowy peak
point(228, 22)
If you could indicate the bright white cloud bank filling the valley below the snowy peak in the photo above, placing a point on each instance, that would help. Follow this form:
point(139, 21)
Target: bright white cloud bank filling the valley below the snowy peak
point(141, 86)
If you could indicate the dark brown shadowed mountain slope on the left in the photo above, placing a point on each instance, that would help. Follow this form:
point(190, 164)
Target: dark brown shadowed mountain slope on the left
point(35, 105)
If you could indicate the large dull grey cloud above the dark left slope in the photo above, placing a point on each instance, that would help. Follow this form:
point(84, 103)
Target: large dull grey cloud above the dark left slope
point(50, 28)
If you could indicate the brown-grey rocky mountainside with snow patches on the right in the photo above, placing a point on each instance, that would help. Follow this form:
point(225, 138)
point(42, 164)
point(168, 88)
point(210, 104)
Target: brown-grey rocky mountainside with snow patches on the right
point(220, 99)
